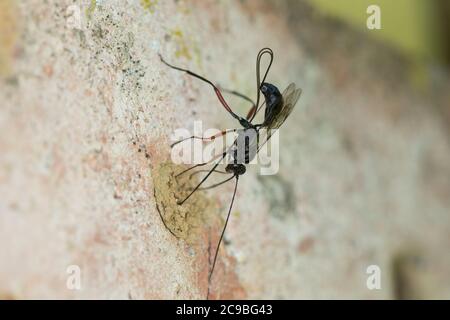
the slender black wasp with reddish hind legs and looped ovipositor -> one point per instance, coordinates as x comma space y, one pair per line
245, 147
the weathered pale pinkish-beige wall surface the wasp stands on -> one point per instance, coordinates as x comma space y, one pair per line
86, 117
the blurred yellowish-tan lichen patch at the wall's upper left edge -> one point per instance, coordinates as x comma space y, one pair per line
8, 35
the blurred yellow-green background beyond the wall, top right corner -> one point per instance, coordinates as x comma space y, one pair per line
419, 29
